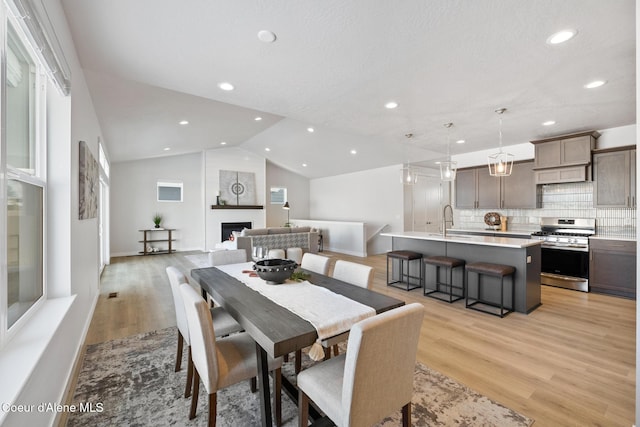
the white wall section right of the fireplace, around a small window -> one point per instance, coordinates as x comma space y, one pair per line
297, 193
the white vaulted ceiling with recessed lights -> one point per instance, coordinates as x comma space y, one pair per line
335, 63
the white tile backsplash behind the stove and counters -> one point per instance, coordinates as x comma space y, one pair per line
571, 200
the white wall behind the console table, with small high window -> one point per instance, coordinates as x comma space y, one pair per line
134, 202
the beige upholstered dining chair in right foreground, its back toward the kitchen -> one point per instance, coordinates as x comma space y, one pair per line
375, 376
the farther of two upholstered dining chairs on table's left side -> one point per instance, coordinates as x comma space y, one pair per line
224, 323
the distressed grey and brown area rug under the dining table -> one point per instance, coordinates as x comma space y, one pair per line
131, 381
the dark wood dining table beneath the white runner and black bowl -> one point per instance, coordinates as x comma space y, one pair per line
276, 330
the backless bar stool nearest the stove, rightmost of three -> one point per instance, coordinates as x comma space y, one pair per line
494, 270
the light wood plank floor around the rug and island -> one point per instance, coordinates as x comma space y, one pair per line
571, 362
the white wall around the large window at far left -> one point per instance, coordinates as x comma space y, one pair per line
73, 256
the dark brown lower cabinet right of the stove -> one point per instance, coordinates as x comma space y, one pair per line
612, 267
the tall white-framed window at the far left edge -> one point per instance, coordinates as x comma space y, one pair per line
24, 118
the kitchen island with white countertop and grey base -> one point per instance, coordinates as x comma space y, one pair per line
523, 254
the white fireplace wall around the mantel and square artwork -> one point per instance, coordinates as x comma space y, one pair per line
233, 159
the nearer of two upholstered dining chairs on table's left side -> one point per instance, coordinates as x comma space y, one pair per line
221, 362
